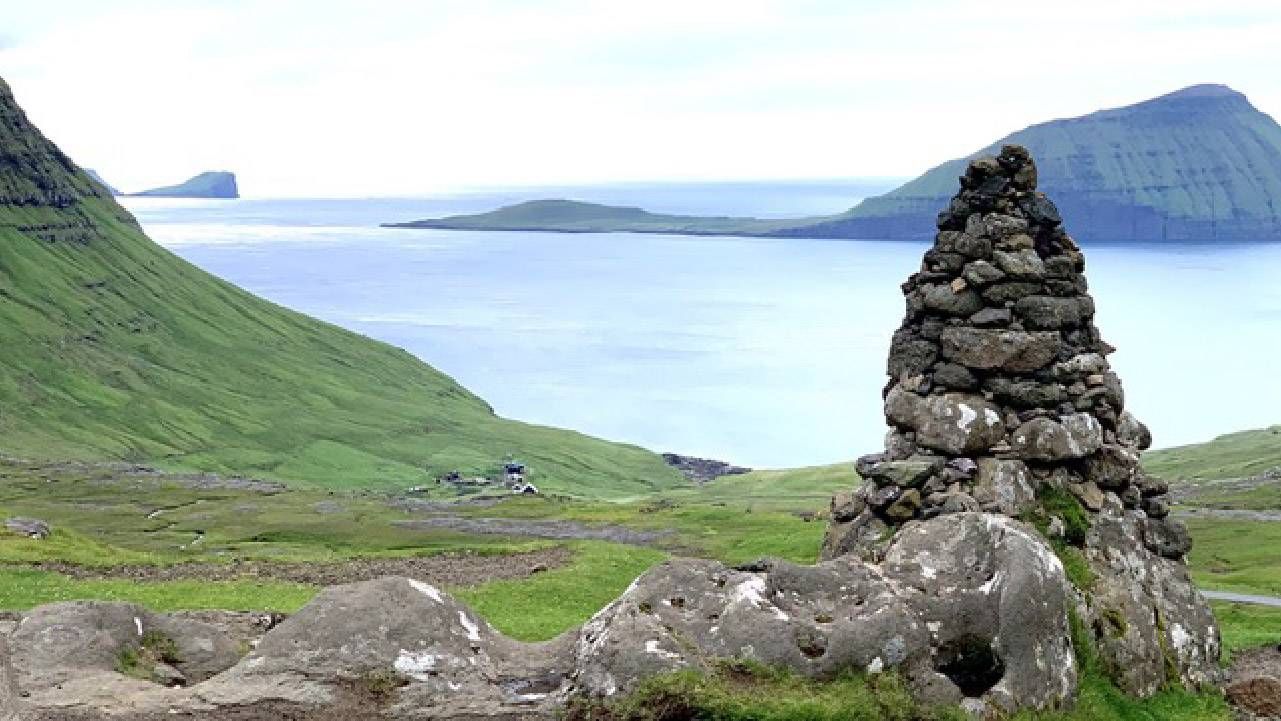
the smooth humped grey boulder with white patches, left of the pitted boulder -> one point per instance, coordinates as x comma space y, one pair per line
452, 663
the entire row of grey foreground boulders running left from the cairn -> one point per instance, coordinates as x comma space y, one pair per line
970, 609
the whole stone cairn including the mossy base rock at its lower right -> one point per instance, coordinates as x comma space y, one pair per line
1001, 399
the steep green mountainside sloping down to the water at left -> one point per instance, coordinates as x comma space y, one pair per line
112, 348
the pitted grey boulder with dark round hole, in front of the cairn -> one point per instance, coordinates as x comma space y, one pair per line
970, 608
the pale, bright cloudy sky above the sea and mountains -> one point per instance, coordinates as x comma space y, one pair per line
375, 98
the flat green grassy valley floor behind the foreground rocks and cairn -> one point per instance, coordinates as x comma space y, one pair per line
180, 542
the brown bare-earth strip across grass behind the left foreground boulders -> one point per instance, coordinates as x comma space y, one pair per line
445, 569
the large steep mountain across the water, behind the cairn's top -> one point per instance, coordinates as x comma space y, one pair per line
1200, 165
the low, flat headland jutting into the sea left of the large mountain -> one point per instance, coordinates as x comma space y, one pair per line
575, 217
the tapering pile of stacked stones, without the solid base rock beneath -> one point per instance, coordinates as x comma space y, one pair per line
999, 380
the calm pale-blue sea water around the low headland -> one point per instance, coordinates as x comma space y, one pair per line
759, 352
